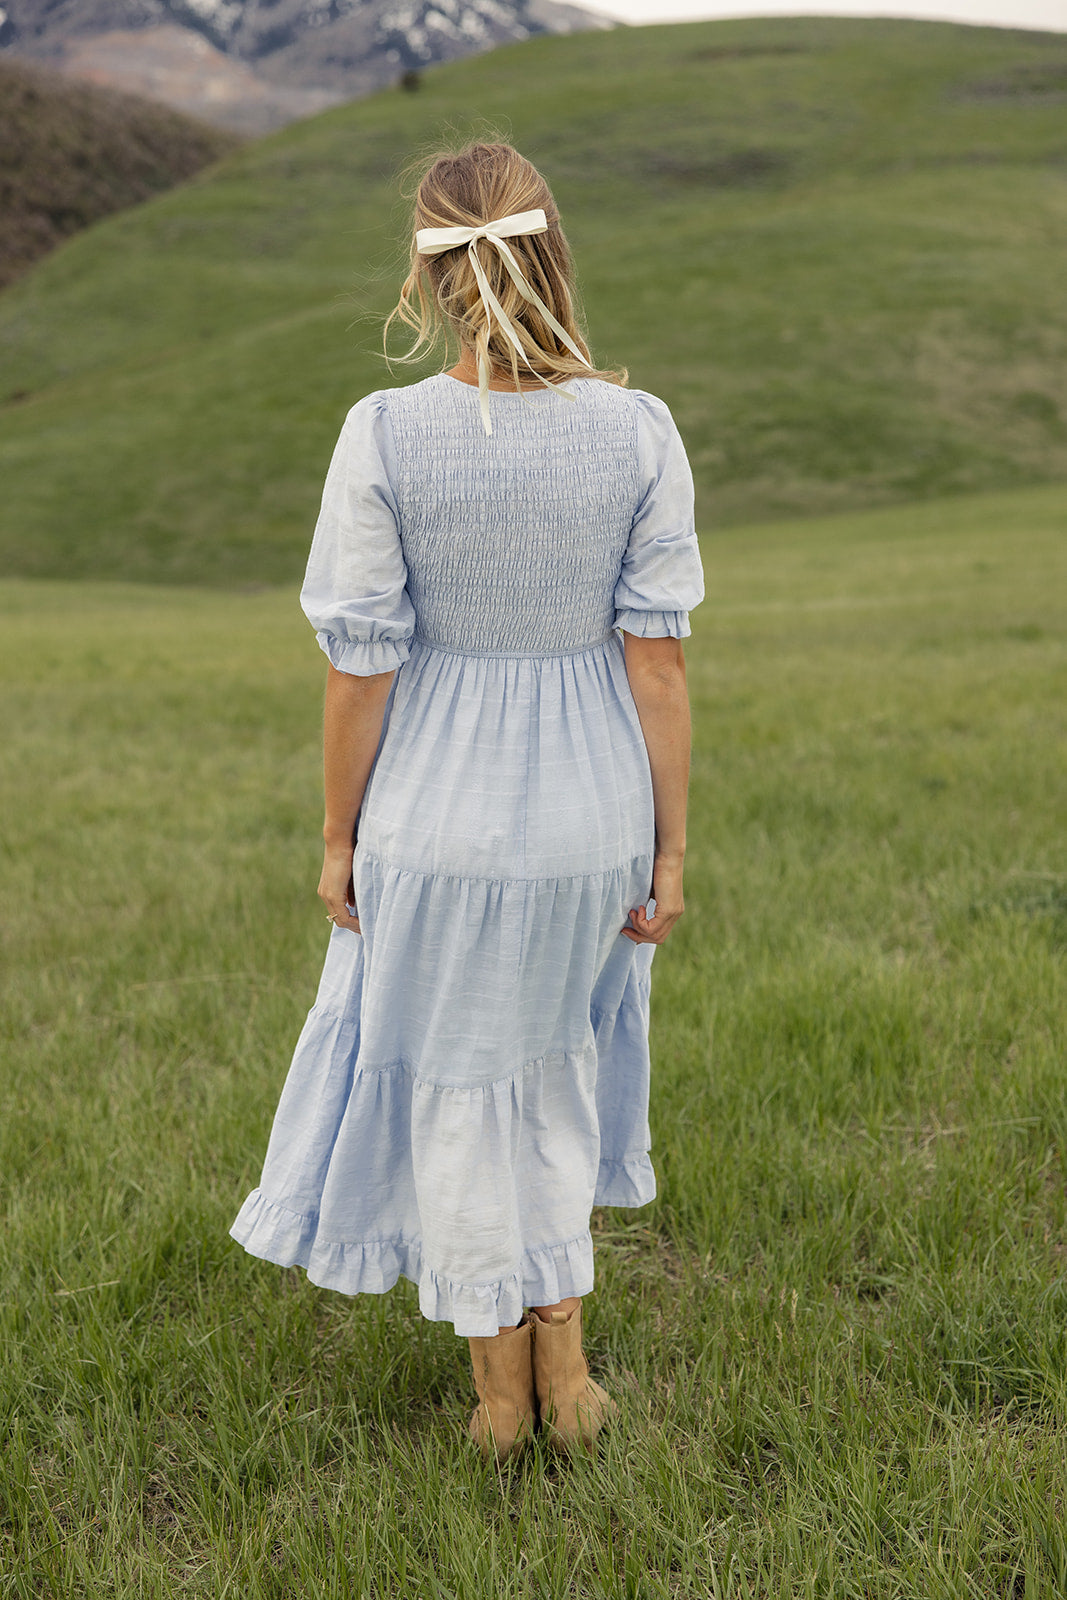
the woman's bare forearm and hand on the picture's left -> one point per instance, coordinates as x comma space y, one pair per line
353, 727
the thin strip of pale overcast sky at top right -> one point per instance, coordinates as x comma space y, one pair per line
1002, 14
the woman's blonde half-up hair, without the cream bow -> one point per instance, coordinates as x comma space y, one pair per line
482, 183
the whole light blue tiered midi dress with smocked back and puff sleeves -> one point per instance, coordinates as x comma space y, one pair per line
474, 1074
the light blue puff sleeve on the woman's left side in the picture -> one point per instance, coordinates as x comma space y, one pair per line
356, 591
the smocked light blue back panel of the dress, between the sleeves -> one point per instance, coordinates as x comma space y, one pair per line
513, 543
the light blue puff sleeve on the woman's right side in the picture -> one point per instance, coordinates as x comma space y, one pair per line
661, 578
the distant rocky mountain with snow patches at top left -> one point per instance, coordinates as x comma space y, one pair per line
257, 65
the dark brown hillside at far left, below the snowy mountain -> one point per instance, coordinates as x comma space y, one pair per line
74, 154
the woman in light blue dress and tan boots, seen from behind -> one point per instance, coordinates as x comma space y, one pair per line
500, 577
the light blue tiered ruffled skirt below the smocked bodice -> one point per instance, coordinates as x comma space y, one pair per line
474, 1074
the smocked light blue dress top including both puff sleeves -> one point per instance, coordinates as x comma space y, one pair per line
572, 519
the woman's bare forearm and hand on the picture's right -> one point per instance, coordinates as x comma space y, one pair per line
657, 673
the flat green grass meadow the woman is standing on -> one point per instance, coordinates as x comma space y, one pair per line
839, 1335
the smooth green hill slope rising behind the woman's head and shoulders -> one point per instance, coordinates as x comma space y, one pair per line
836, 249
